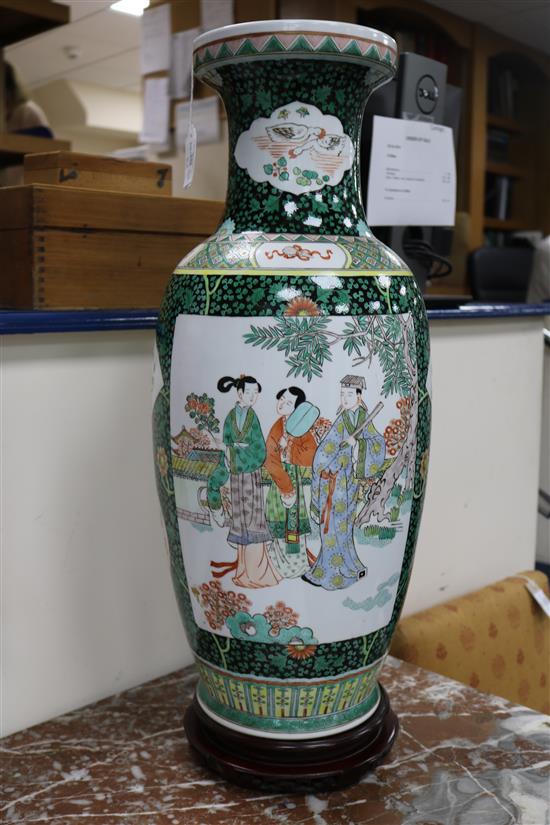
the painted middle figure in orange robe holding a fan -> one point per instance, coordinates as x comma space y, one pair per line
286, 511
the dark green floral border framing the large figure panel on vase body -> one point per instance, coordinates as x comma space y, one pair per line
239, 296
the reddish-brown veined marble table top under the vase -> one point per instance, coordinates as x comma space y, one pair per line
461, 758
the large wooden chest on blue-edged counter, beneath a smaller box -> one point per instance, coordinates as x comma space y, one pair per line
81, 249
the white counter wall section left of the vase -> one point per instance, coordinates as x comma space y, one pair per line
87, 605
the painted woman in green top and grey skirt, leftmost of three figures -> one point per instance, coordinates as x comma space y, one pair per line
245, 450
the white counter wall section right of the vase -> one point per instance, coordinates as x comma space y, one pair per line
479, 521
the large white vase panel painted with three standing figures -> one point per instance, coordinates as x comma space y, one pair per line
293, 460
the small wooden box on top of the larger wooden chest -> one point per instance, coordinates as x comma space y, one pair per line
98, 172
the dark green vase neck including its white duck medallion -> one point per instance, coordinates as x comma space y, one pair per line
294, 140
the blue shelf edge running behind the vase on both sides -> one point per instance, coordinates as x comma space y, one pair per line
16, 322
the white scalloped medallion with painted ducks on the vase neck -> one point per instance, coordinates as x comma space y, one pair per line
298, 149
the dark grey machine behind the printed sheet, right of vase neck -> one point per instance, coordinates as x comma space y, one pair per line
419, 91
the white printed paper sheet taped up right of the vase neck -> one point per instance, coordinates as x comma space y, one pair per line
412, 174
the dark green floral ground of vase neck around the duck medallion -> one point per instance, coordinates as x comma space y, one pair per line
257, 90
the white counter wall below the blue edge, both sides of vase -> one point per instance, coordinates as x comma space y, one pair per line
87, 605
